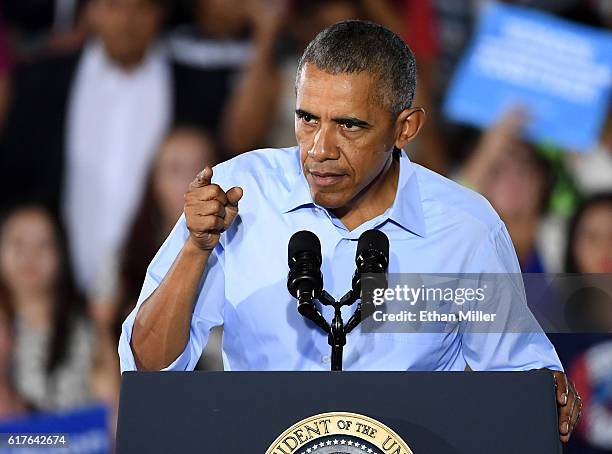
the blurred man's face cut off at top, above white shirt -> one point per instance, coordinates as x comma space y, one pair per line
127, 27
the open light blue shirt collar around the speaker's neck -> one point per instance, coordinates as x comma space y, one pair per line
406, 211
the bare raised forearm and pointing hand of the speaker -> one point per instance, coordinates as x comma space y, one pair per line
161, 328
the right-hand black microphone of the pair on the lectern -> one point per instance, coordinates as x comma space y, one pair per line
372, 260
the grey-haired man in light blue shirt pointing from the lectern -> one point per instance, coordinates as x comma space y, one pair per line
227, 266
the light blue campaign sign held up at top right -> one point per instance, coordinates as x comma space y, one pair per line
559, 71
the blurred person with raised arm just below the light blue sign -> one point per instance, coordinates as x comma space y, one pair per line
516, 180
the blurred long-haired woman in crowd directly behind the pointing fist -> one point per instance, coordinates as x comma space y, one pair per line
184, 152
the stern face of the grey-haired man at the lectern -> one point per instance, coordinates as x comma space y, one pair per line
345, 136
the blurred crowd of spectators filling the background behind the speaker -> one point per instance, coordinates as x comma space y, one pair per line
109, 108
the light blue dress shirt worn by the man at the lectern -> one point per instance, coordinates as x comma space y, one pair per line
434, 226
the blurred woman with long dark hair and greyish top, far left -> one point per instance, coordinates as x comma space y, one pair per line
53, 339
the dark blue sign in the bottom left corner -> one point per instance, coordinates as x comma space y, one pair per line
85, 431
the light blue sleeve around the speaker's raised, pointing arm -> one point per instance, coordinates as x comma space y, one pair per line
208, 309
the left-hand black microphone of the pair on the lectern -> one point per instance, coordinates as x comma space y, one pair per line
305, 280
